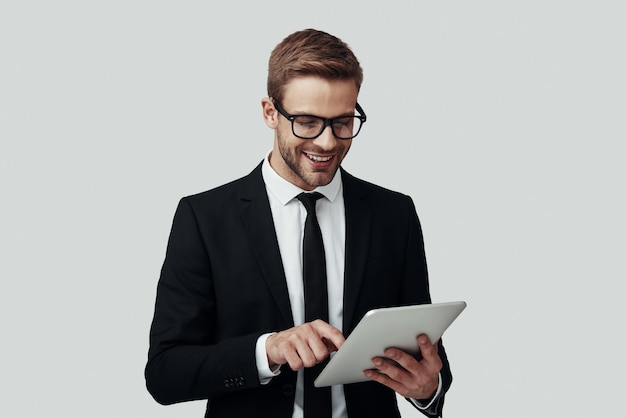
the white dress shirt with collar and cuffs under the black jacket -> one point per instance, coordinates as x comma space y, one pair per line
289, 215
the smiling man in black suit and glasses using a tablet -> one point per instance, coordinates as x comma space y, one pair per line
230, 322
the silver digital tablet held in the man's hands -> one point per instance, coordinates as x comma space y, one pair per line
383, 328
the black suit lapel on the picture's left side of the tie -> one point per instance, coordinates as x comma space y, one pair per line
257, 218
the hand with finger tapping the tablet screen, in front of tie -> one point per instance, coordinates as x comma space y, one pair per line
303, 346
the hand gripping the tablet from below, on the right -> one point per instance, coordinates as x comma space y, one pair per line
411, 378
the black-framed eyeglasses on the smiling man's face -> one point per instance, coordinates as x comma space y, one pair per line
311, 126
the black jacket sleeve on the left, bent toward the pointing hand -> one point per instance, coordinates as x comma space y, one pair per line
185, 360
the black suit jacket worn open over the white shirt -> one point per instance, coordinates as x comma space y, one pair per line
222, 285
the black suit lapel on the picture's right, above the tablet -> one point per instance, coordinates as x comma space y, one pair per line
358, 230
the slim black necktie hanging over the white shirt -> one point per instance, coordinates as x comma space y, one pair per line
317, 402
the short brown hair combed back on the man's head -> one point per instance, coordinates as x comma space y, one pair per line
311, 52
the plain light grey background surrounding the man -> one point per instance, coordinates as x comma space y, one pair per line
503, 120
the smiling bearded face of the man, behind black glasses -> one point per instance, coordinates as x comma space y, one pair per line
309, 163
